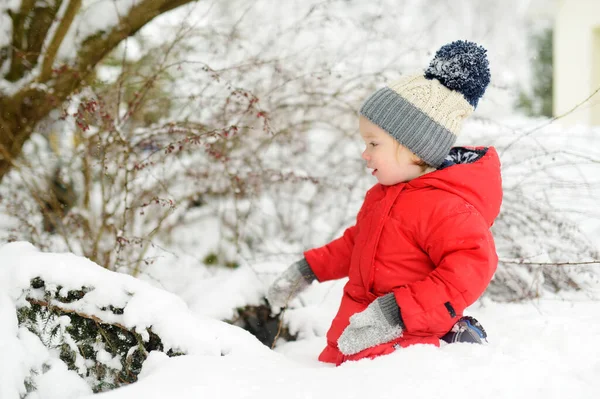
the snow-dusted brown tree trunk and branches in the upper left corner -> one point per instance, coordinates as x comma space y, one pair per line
69, 41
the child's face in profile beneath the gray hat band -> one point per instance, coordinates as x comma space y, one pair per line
390, 164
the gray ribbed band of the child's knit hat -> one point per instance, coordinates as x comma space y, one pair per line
410, 126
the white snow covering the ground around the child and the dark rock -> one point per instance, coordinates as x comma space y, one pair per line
539, 349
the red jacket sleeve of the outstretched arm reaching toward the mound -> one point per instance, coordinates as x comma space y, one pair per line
332, 261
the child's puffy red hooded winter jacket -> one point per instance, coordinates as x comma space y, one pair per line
428, 241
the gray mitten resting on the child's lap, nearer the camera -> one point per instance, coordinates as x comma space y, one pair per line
379, 323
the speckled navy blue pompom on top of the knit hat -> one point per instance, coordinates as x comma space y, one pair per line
461, 66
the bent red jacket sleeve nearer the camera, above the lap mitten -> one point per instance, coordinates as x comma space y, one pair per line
462, 249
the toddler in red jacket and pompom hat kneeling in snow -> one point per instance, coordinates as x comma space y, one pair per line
421, 249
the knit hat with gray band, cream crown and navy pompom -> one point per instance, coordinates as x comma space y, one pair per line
425, 112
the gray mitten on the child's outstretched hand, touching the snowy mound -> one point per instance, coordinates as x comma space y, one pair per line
290, 283
